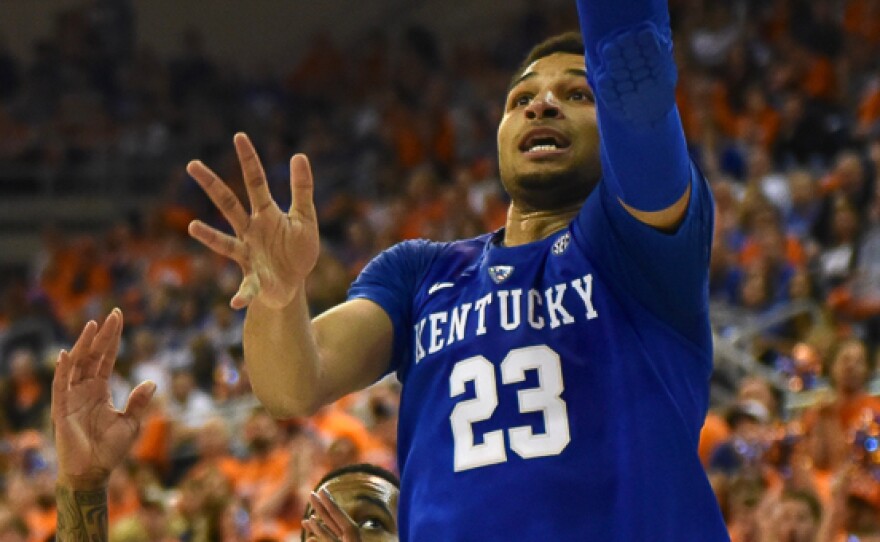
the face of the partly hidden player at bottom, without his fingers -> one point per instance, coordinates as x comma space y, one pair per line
370, 501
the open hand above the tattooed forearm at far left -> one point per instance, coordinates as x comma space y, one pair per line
91, 436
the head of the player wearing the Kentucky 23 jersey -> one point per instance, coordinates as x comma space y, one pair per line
548, 139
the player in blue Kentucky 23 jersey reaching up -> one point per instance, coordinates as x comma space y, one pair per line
555, 372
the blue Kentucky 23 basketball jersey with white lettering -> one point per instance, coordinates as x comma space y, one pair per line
554, 390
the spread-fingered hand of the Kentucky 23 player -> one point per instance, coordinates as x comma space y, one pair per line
275, 250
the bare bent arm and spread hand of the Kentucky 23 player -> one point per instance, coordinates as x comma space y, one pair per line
295, 365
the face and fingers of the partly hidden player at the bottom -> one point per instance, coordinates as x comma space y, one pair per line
354, 507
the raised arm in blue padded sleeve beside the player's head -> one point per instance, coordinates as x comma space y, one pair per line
632, 71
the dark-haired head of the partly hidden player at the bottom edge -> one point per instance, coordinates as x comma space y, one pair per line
369, 495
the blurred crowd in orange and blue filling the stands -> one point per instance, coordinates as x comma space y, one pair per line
781, 105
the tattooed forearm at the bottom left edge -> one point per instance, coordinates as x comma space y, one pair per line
82, 515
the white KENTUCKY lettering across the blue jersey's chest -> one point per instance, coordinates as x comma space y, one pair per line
559, 305
